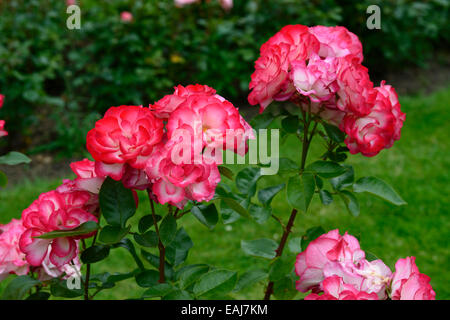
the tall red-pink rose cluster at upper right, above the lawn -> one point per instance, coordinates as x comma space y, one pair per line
320, 69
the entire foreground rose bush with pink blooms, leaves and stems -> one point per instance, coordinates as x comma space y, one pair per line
173, 149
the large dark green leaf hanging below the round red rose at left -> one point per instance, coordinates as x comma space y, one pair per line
116, 202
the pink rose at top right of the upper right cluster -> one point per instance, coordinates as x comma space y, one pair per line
337, 42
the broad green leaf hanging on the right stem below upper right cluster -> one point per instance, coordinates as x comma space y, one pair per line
300, 191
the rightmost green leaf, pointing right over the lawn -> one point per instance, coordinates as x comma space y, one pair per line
379, 188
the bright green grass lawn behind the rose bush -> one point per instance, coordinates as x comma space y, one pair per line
417, 166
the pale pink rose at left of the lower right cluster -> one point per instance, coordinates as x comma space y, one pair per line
326, 249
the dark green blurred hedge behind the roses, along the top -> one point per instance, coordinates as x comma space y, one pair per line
58, 81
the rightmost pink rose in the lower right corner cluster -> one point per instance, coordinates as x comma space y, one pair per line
409, 284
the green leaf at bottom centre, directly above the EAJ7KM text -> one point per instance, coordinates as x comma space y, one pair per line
215, 282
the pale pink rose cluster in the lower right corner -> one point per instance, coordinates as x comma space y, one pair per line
334, 267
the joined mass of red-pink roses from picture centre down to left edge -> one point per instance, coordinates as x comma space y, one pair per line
135, 145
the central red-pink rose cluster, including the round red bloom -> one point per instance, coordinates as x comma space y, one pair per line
171, 148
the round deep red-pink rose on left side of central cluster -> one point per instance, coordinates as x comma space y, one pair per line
126, 134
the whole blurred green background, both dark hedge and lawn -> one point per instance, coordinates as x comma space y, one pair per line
57, 82
